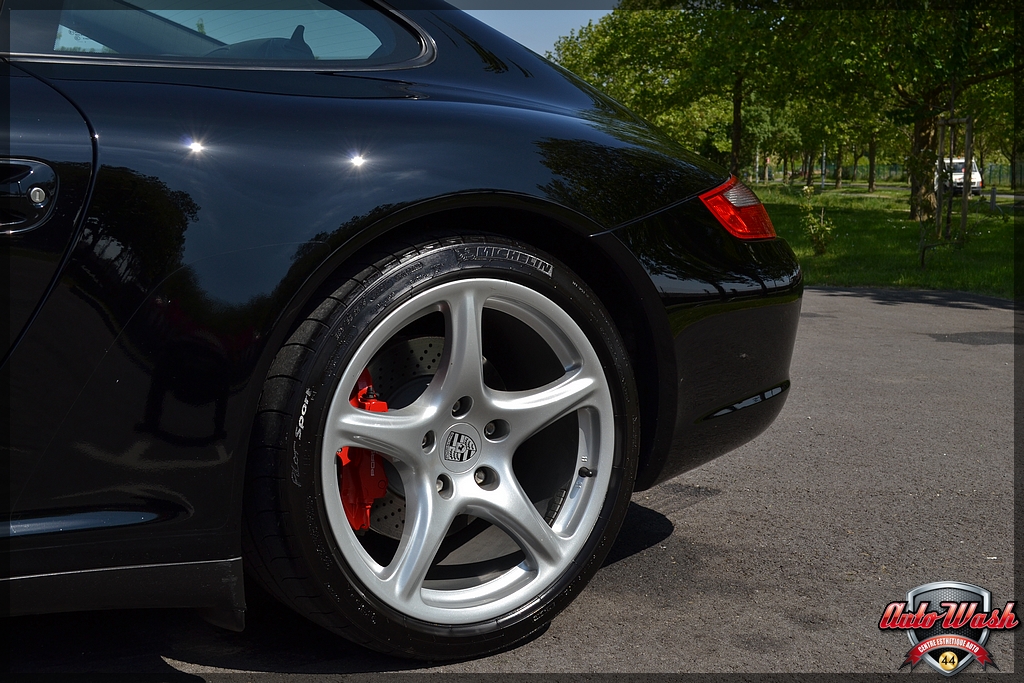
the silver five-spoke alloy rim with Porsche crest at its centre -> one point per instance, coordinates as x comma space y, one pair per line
483, 484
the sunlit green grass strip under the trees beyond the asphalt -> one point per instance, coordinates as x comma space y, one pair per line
875, 244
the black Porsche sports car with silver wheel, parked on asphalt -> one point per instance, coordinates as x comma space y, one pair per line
373, 305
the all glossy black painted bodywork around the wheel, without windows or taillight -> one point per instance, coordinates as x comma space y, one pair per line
134, 389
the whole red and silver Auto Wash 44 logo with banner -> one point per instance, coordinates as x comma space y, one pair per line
949, 624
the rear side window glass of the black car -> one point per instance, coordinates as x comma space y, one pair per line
302, 34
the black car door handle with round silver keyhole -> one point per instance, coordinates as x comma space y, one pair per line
28, 193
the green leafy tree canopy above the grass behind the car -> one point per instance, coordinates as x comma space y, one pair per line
730, 79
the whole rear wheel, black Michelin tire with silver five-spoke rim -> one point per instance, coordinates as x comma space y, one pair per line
525, 486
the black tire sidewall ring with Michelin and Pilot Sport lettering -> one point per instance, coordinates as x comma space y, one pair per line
365, 304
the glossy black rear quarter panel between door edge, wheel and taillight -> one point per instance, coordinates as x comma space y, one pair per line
192, 265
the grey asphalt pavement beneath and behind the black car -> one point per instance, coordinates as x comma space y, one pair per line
890, 467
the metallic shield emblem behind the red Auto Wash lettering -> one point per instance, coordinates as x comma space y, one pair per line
951, 661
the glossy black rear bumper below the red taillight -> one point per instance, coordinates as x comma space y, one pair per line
733, 311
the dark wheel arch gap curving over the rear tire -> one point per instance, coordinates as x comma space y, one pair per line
596, 255
